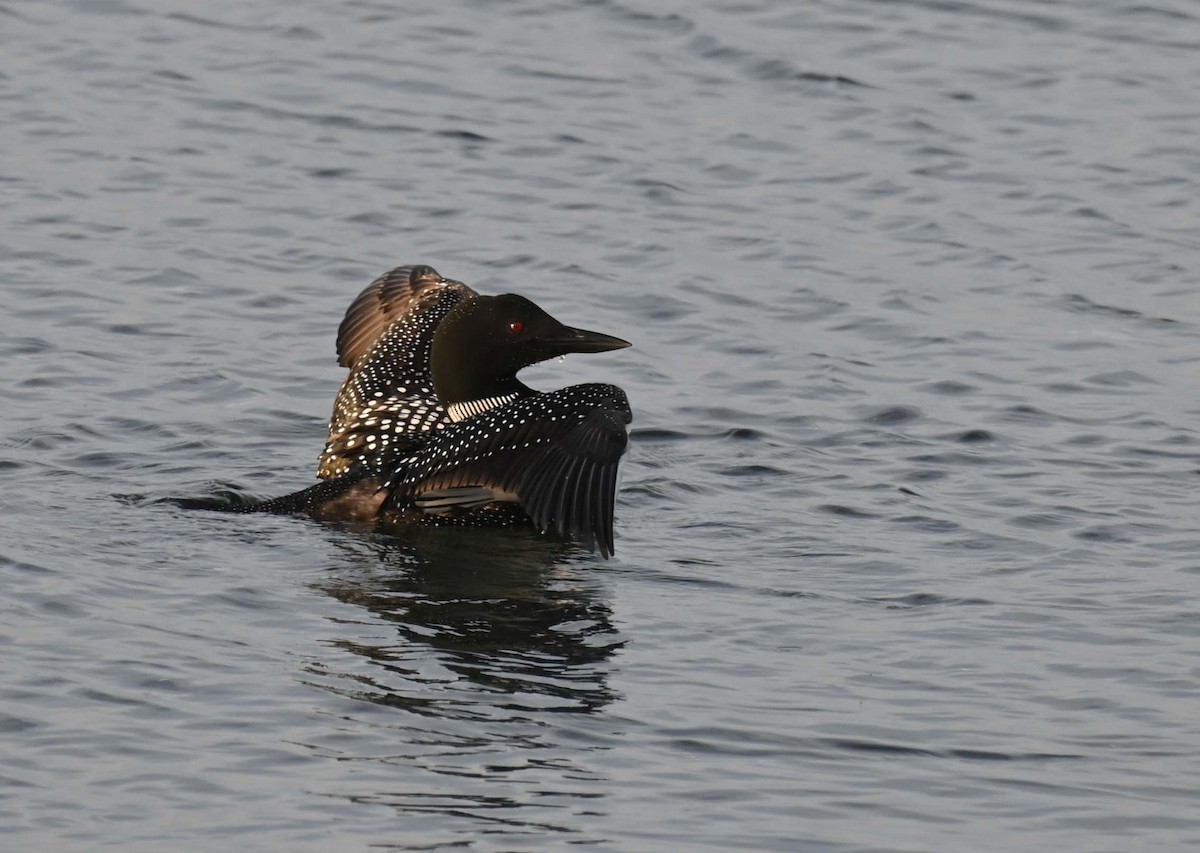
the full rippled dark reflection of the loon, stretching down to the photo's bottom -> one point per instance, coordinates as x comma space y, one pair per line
463, 653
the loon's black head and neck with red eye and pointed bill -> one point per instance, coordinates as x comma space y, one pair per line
484, 341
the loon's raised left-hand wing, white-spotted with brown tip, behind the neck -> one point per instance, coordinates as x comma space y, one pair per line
388, 397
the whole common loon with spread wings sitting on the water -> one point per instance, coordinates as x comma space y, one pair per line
433, 425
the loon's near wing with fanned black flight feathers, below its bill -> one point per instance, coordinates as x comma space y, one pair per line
555, 454
